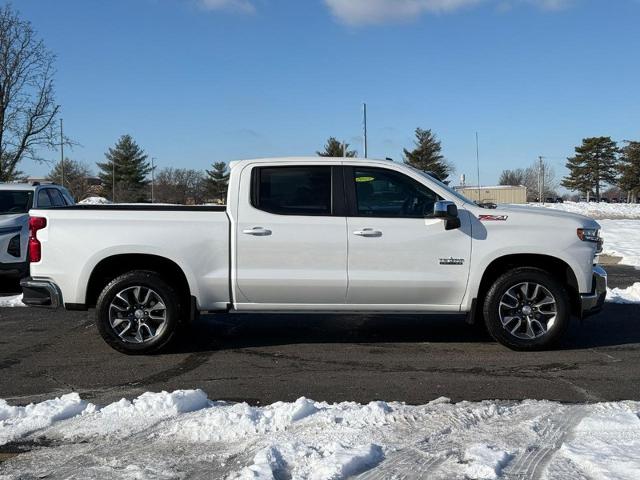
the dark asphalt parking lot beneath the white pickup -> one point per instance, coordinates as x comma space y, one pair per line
262, 359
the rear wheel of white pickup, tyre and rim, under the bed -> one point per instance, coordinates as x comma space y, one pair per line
137, 313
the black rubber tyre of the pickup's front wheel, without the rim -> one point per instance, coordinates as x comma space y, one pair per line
514, 279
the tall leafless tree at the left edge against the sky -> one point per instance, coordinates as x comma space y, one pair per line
27, 105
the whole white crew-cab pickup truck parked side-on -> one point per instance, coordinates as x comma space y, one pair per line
318, 235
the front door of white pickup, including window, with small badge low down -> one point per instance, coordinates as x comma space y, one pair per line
397, 254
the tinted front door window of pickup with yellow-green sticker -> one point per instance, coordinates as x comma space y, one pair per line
386, 193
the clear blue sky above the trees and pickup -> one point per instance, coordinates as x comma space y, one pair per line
198, 81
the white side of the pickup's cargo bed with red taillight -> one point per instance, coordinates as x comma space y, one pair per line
78, 238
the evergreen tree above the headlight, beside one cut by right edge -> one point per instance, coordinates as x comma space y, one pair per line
595, 163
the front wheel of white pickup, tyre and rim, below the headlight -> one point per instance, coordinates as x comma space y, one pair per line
527, 309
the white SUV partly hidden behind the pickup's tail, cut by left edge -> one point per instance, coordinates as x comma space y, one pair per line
16, 200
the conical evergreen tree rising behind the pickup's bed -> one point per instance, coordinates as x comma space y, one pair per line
129, 162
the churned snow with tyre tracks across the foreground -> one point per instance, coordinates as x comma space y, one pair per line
183, 434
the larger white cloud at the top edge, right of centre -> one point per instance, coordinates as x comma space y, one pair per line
369, 12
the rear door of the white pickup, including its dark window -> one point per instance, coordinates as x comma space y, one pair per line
291, 242
